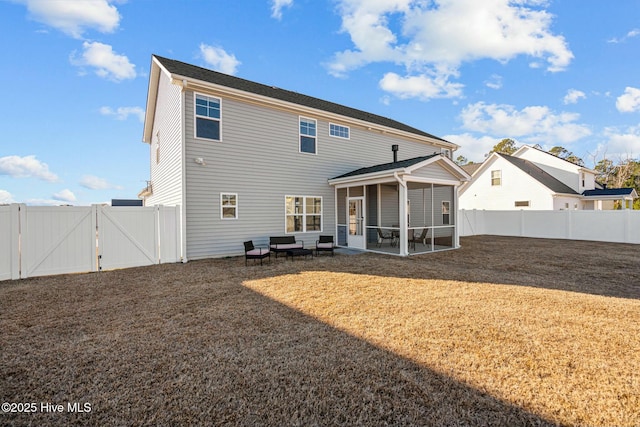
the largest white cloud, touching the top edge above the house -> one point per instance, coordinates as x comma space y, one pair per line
437, 37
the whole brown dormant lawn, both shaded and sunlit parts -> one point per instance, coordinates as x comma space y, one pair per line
505, 331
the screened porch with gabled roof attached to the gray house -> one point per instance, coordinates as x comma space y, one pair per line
401, 208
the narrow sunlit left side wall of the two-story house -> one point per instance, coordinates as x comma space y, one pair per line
166, 175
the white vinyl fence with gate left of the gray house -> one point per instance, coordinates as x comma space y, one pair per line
41, 240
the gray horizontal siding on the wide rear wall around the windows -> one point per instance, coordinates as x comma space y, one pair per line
259, 160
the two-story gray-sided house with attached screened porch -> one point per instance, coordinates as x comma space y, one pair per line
246, 161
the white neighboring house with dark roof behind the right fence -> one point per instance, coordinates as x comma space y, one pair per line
534, 179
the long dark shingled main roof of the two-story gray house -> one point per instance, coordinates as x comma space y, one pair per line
187, 70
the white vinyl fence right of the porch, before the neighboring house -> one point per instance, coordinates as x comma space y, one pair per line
621, 226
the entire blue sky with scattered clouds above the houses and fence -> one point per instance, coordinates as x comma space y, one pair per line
75, 75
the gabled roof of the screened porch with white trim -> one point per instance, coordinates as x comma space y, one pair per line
435, 168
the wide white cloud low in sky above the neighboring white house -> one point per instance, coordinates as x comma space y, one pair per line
533, 124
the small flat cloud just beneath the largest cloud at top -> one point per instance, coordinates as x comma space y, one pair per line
422, 86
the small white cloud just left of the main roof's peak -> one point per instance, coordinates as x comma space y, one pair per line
107, 63
